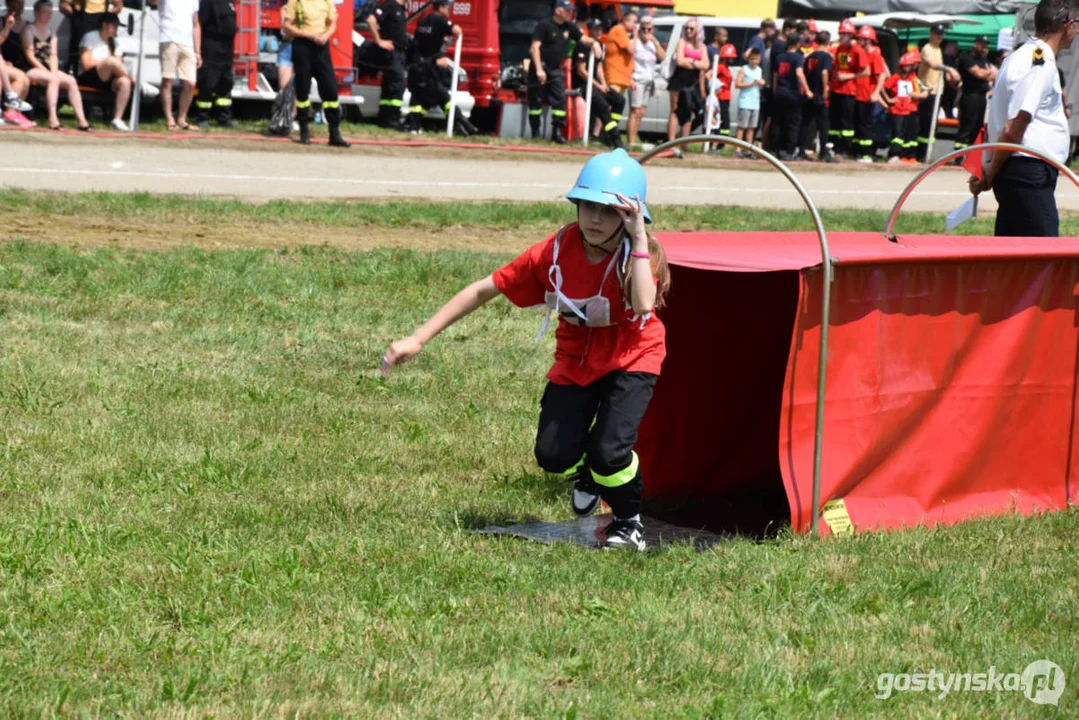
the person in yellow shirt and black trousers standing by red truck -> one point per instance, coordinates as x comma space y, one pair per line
311, 24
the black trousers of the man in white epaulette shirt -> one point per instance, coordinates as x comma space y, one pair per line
1025, 189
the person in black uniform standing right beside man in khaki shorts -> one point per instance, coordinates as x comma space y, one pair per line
218, 22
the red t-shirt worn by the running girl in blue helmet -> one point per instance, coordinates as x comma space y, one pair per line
584, 355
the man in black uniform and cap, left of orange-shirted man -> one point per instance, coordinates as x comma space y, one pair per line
547, 80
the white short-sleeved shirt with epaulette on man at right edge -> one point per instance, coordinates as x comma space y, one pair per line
1030, 81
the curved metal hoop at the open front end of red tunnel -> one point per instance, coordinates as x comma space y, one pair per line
826, 306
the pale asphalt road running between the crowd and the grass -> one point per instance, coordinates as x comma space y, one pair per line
38, 161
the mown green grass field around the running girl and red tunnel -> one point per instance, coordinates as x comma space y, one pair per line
214, 507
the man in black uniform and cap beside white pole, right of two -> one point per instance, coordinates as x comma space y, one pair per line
429, 71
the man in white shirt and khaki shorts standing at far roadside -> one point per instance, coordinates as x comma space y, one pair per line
181, 57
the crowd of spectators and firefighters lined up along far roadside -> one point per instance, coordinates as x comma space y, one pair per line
797, 91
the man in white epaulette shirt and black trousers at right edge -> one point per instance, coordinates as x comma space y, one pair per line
1028, 110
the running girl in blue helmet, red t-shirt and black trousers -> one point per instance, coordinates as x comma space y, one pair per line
605, 277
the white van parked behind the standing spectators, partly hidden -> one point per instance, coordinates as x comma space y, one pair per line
670, 30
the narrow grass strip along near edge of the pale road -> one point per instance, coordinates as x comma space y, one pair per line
528, 216
